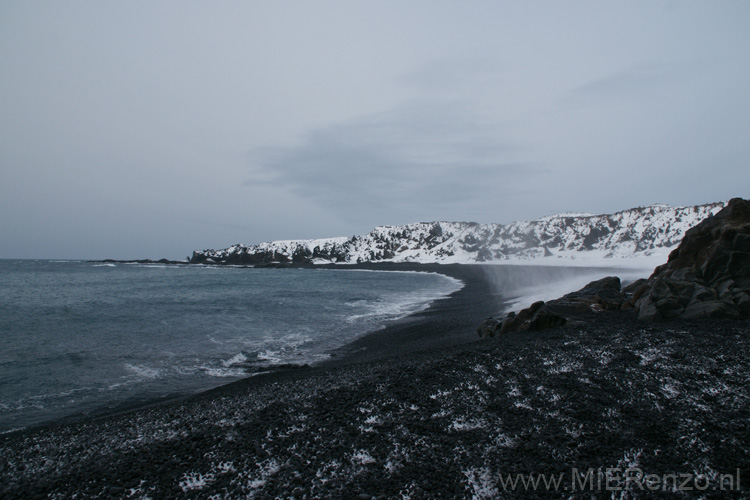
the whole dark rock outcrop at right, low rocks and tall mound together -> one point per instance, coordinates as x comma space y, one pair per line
706, 276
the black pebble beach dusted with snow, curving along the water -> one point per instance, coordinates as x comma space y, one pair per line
424, 410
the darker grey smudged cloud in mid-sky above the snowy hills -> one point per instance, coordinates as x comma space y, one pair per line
424, 154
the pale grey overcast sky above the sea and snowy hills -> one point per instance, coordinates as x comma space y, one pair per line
150, 129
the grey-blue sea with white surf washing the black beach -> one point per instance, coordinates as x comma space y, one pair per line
77, 337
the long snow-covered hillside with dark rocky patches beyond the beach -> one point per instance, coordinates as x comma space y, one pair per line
639, 237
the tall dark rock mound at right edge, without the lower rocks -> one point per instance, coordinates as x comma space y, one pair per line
707, 275
